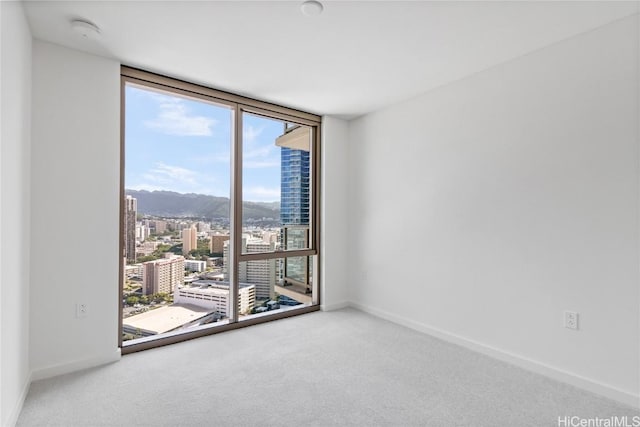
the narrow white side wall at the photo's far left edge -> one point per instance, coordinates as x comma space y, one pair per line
15, 84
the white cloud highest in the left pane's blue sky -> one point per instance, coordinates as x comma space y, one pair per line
174, 119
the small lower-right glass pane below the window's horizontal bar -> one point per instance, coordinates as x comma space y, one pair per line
280, 284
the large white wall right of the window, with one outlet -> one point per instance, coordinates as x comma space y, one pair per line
482, 210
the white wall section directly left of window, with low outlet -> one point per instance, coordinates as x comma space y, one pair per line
75, 204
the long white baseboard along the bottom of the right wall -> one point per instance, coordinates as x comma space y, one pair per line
523, 362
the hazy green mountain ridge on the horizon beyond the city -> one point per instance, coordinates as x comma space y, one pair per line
171, 204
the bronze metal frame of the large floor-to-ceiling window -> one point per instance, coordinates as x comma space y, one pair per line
238, 105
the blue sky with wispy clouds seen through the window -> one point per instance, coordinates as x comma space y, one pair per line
181, 144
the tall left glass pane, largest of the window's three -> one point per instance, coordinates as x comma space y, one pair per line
177, 187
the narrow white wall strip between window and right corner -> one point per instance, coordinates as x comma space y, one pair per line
334, 262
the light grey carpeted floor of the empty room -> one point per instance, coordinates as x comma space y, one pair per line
326, 369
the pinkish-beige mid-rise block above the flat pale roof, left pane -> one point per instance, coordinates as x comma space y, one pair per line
162, 275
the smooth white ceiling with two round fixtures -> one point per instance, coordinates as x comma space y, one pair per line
354, 58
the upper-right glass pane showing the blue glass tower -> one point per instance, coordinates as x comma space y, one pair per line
276, 190
